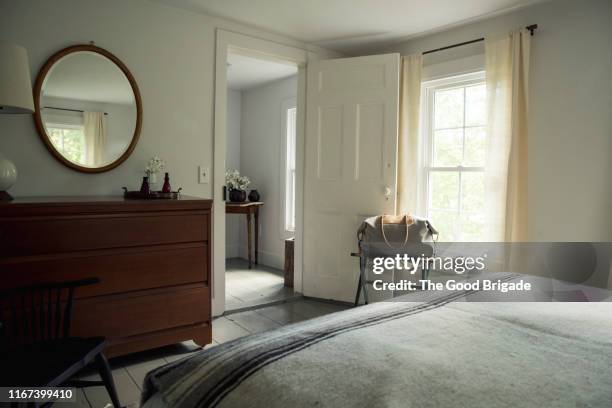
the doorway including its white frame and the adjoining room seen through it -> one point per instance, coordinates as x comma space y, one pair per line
266, 81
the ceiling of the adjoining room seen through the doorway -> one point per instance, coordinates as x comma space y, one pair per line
246, 72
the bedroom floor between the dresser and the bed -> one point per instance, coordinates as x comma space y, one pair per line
129, 371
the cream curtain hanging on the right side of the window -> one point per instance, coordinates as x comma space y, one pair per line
507, 72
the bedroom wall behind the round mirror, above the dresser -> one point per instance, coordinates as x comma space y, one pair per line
169, 51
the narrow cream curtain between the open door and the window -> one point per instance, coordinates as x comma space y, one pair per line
409, 146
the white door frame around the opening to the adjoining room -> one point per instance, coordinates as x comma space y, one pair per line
227, 41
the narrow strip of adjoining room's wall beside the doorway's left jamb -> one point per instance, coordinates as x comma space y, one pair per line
233, 222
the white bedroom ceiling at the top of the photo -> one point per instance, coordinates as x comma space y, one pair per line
350, 25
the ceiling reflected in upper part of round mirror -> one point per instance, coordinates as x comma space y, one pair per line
87, 76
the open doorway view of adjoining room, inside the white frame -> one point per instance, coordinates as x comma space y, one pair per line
260, 178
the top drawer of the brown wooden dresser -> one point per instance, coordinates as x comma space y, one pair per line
49, 235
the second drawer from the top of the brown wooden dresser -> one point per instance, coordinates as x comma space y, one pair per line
119, 270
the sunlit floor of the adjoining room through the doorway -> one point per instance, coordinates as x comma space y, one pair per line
246, 287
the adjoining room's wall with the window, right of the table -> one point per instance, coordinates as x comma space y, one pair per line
260, 160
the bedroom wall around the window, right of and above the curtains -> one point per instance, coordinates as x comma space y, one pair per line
570, 118
